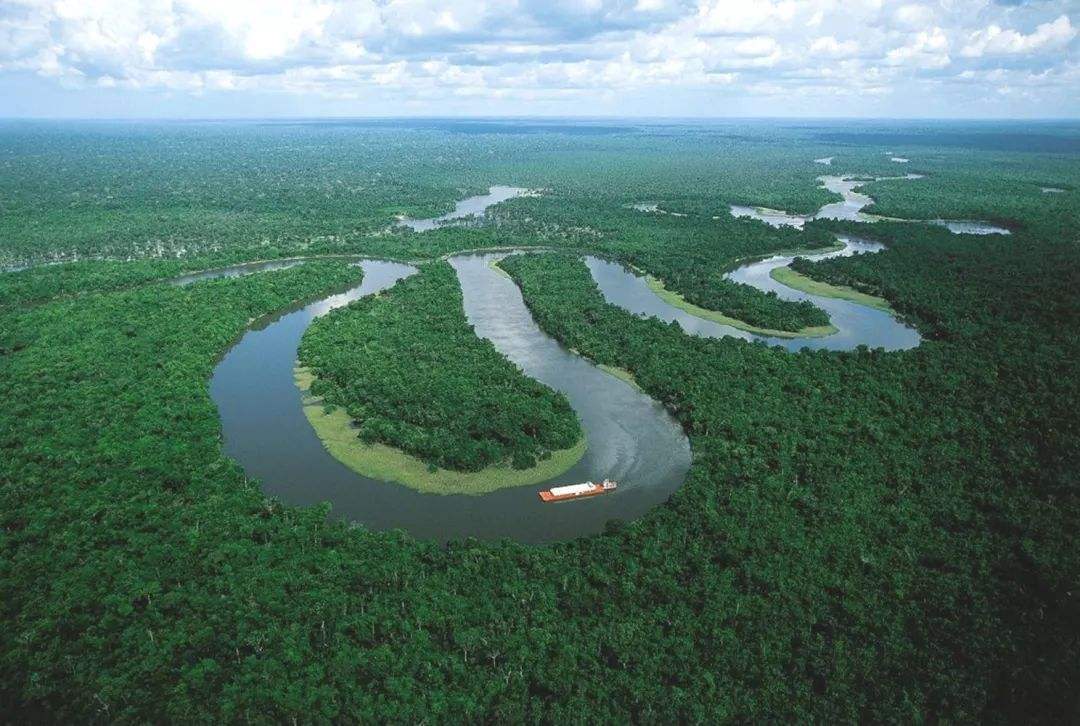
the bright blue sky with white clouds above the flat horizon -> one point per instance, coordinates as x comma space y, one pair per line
713, 59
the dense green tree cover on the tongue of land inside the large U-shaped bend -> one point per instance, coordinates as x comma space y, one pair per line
412, 374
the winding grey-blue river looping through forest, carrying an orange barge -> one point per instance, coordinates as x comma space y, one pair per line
631, 438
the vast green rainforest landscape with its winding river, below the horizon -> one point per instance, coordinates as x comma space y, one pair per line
280, 397
